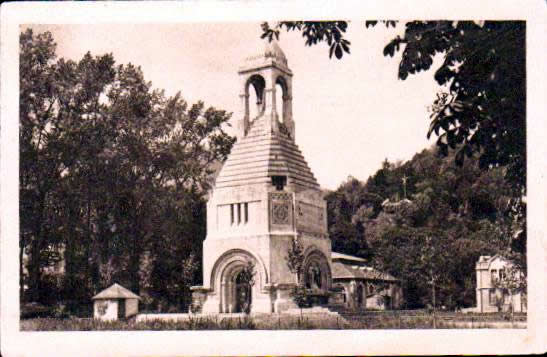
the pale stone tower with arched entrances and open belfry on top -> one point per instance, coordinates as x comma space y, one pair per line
264, 197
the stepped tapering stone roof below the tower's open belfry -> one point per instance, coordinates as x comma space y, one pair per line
262, 154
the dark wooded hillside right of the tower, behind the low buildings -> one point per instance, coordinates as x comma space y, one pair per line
427, 221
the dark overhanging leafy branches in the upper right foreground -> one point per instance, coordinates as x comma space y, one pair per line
483, 111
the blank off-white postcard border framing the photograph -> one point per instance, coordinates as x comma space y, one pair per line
315, 342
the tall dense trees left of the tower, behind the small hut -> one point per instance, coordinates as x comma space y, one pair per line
112, 179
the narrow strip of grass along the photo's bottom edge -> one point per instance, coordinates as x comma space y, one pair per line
267, 322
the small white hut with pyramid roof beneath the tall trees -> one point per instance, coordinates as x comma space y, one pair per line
115, 302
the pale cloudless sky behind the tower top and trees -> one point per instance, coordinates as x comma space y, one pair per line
350, 114
